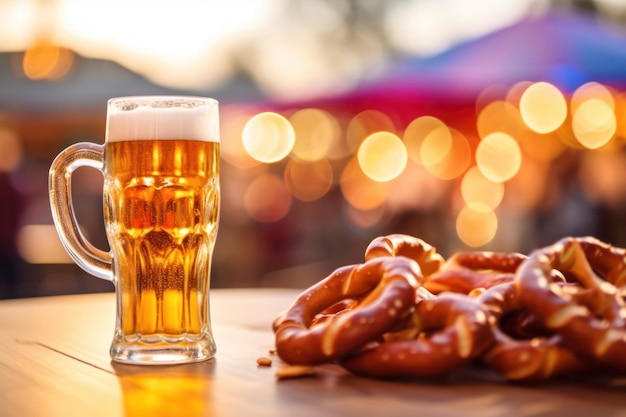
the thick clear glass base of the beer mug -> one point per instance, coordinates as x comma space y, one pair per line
161, 352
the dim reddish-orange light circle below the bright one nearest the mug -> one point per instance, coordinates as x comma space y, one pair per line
266, 199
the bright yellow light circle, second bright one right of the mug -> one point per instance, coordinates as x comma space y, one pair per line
382, 156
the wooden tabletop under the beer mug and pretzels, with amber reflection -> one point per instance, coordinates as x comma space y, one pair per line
54, 362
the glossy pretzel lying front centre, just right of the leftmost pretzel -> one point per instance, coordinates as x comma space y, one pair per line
453, 331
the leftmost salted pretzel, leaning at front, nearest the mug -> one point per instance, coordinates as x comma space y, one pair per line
385, 289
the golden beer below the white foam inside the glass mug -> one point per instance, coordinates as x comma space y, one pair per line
162, 207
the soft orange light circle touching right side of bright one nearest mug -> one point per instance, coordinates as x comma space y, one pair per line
316, 130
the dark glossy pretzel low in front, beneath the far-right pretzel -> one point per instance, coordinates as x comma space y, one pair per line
535, 357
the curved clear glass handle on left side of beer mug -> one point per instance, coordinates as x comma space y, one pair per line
87, 256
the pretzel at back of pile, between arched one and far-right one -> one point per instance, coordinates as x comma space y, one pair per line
465, 272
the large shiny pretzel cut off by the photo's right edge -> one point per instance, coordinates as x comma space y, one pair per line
592, 324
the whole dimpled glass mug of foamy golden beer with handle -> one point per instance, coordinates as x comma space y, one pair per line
160, 162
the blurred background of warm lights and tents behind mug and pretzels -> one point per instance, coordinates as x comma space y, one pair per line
482, 125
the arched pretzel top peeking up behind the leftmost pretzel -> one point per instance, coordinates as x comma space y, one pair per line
405, 245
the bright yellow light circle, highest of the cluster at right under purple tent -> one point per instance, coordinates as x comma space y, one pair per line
543, 107
